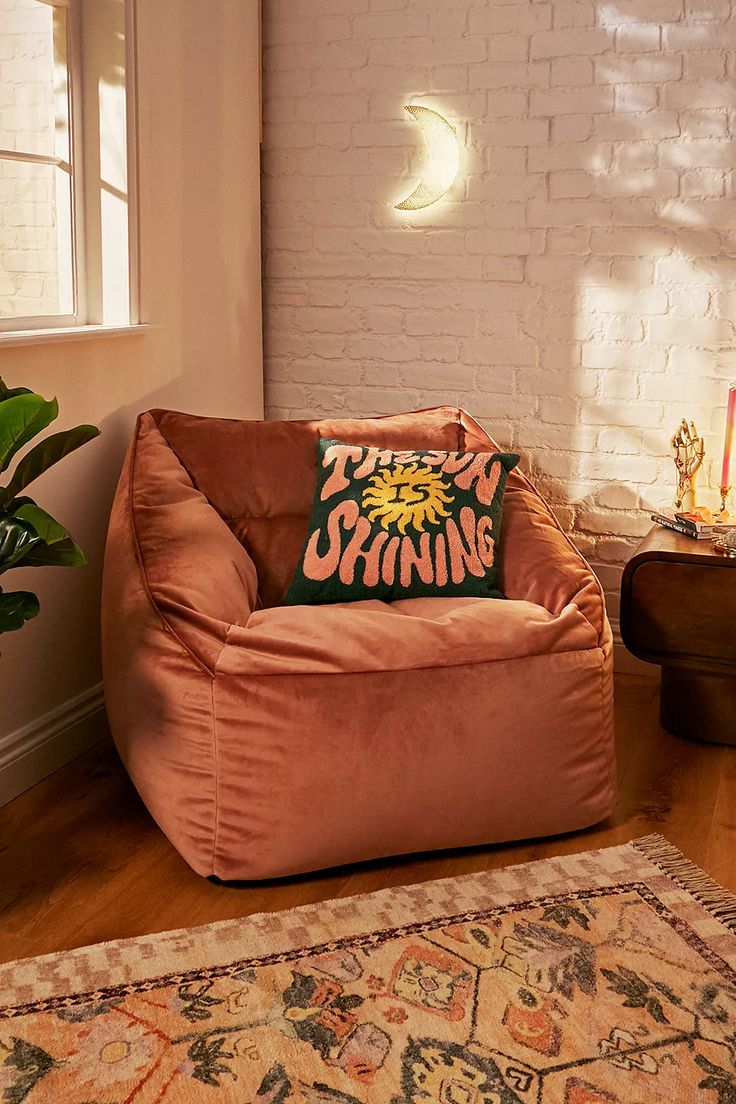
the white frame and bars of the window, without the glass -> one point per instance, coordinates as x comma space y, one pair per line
87, 272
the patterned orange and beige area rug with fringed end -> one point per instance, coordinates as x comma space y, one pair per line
598, 979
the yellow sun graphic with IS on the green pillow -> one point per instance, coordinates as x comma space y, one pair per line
407, 494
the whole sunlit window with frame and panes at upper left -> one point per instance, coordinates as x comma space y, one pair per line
67, 225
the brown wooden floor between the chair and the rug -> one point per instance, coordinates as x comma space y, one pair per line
81, 861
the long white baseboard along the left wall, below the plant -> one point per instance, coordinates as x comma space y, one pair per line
44, 746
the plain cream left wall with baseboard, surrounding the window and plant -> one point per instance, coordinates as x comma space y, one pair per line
200, 279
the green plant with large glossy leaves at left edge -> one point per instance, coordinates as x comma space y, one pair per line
30, 537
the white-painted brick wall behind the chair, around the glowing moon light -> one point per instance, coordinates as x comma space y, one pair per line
577, 291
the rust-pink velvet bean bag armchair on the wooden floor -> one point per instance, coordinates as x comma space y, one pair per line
269, 740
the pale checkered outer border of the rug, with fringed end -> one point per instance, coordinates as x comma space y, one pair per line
84, 973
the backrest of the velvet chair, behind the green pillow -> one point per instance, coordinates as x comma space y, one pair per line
261, 476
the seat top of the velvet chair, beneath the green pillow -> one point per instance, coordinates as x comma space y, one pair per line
404, 635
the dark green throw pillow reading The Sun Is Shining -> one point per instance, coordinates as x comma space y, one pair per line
404, 525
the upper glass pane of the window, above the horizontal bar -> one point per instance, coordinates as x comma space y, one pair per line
34, 79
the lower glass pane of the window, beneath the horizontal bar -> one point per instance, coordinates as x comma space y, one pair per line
36, 241
